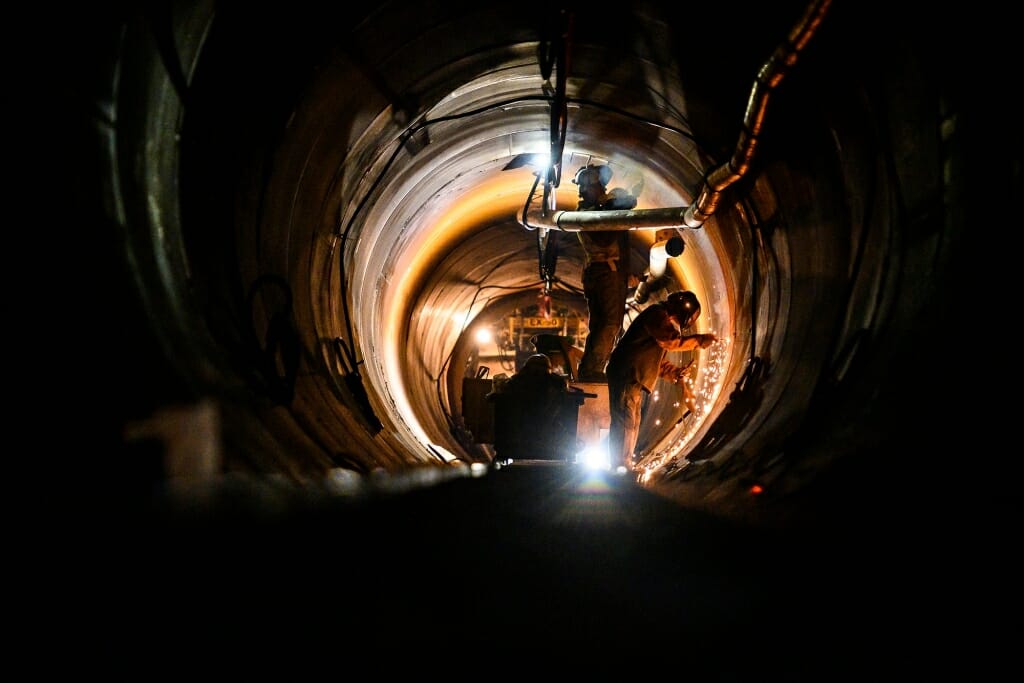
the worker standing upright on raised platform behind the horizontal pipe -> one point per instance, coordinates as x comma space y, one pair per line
606, 274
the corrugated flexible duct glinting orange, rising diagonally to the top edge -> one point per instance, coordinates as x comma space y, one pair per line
770, 77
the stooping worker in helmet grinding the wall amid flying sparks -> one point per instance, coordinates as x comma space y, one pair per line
638, 361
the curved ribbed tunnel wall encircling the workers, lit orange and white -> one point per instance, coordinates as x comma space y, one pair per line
269, 188
